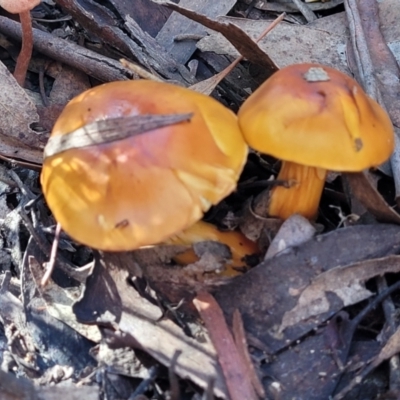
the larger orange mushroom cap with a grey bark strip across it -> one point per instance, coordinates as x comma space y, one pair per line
138, 191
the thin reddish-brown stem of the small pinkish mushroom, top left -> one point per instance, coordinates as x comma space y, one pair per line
26, 50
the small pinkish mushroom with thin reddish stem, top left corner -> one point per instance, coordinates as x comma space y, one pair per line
23, 8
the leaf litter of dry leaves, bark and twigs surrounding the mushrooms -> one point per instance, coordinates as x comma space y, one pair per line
310, 306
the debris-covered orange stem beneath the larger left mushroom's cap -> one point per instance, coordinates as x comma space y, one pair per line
202, 231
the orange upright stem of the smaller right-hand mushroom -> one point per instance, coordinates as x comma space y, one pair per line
302, 196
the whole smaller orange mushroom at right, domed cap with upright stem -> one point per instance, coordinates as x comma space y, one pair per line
314, 118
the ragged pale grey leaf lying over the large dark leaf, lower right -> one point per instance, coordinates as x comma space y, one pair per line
346, 282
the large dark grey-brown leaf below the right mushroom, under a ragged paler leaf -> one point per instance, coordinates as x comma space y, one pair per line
265, 293
